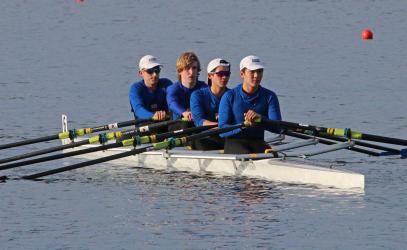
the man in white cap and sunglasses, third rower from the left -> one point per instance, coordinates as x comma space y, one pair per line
205, 103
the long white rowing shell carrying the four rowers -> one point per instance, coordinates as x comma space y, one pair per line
271, 169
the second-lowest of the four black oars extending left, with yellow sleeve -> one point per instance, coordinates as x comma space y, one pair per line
126, 142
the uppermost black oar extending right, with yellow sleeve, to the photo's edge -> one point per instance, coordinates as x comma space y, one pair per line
339, 132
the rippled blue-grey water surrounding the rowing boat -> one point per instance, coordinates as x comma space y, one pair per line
80, 59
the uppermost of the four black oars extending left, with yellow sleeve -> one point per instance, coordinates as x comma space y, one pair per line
74, 132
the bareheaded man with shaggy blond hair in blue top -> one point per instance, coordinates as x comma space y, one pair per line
179, 93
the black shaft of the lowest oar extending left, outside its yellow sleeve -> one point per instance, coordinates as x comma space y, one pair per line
87, 163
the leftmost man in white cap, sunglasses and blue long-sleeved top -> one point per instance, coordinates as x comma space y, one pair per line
148, 96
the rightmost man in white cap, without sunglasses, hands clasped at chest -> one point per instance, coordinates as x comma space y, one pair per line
247, 102
